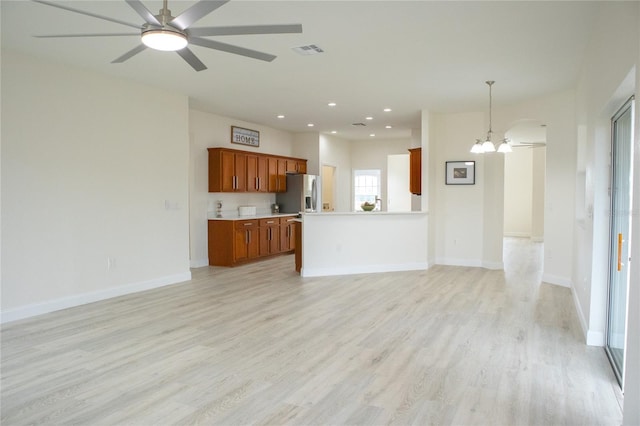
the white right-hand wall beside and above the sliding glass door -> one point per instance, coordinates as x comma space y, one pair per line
607, 80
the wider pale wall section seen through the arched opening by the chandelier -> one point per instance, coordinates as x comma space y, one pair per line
518, 192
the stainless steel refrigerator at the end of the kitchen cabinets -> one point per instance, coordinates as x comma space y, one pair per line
303, 195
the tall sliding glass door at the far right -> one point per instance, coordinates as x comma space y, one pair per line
621, 193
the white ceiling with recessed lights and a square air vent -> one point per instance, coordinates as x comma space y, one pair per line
403, 55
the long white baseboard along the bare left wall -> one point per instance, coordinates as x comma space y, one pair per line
32, 310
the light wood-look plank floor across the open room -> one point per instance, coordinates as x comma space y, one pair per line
257, 344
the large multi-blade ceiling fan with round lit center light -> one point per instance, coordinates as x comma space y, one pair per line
166, 32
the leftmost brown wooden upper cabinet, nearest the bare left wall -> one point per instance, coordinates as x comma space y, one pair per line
227, 170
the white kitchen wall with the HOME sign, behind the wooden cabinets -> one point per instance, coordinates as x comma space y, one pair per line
209, 130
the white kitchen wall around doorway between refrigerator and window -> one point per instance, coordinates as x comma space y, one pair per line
336, 152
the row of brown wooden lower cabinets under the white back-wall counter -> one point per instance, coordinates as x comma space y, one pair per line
234, 242
